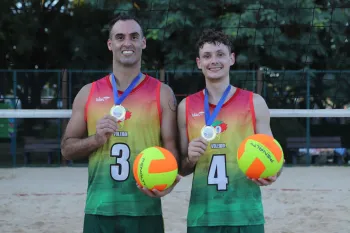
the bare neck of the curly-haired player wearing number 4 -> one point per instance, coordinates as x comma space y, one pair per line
216, 89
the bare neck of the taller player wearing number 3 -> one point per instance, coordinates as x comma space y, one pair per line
125, 75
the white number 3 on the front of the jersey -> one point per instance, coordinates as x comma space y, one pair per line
121, 169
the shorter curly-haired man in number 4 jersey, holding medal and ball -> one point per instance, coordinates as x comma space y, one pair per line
212, 124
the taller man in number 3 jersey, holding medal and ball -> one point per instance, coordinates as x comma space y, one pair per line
113, 120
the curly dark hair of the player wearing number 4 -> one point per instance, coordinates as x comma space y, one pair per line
213, 36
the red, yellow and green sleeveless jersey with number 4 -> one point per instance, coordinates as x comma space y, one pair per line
221, 194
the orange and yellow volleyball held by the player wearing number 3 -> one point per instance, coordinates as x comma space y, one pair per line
155, 168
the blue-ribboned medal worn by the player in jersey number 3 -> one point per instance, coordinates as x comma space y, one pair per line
118, 111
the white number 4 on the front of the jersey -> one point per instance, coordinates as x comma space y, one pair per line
217, 172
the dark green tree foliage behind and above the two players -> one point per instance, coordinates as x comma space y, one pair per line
278, 34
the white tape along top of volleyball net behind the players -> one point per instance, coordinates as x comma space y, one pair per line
282, 113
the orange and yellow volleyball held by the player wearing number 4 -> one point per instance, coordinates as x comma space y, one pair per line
260, 156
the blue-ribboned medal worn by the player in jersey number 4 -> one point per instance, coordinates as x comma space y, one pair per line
208, 132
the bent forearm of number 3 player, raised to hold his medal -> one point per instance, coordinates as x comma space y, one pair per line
75, 148
